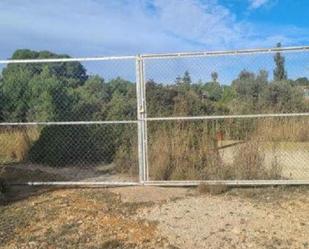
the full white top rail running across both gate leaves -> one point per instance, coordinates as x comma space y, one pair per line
163, 55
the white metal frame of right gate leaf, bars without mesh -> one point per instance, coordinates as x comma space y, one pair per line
145, 119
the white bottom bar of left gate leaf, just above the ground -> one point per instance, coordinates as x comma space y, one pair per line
68, 183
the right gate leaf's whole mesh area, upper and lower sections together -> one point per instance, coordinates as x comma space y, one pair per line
228, 116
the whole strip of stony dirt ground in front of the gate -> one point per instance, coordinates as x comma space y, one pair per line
152, 217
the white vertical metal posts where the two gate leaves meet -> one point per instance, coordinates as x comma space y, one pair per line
141, 117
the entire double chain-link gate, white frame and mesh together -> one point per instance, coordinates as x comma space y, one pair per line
237, 117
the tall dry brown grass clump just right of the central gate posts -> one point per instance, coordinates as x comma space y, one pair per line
184, 151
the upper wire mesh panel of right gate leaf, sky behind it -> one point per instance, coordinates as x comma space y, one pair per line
227, 84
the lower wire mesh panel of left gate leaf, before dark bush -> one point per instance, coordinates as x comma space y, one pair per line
78, 153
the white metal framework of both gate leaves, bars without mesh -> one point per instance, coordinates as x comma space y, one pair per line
142, 119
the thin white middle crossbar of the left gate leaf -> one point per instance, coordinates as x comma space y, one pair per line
68, 123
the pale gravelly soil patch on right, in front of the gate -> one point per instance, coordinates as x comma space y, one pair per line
269, 220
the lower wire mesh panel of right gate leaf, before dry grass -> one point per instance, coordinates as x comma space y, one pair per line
229, 149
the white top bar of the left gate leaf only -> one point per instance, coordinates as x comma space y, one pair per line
67, 59
